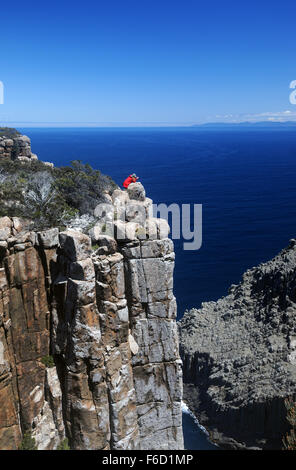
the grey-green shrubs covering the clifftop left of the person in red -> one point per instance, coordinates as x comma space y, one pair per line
50, 196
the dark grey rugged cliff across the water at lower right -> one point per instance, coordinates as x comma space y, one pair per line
239, 356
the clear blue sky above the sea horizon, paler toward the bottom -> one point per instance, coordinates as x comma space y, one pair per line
146, 62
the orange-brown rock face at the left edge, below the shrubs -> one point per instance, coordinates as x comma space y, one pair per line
24, 339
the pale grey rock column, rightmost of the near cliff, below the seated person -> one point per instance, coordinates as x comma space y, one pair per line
157, 371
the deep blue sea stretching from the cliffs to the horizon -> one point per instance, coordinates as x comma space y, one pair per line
245, 179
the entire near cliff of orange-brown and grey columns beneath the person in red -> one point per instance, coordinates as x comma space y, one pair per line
106, 313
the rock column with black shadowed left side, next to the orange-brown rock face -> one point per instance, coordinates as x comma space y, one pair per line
78, 347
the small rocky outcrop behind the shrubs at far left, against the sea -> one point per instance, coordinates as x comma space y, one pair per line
17, 147
